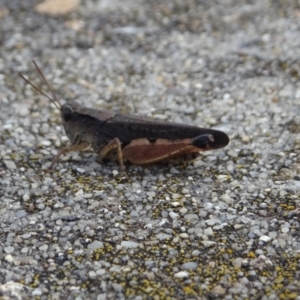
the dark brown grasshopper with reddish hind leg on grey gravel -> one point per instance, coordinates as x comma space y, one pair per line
139, 140
